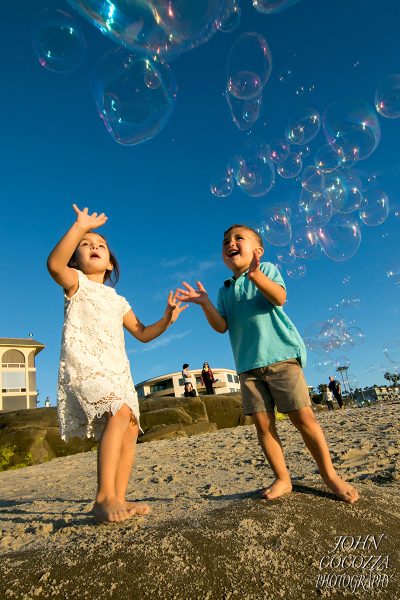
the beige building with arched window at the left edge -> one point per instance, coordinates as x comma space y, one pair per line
18, 373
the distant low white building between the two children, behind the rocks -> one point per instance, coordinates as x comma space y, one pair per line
171, 384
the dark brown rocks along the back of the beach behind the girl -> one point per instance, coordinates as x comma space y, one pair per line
28, 437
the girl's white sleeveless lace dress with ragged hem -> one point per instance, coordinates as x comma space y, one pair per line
94, 376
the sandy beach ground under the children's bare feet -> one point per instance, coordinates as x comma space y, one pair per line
210, 534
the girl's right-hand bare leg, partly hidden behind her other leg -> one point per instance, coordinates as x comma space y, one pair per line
125, 463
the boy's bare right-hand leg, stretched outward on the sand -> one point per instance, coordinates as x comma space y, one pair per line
304, 420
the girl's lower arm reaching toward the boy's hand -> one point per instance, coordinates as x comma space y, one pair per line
148, 333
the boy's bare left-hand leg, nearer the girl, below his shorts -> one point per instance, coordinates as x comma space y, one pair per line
272, 447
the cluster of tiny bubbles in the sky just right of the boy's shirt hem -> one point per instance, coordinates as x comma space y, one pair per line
332, 337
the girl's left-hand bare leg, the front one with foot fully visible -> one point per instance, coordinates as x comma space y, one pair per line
107, 507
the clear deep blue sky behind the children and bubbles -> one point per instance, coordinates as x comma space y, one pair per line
164, 224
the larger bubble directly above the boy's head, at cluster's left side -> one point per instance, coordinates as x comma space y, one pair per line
257, 173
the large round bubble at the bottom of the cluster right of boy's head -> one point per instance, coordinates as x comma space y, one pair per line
340, 238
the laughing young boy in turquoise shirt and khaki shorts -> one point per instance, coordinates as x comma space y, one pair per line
269, 354
